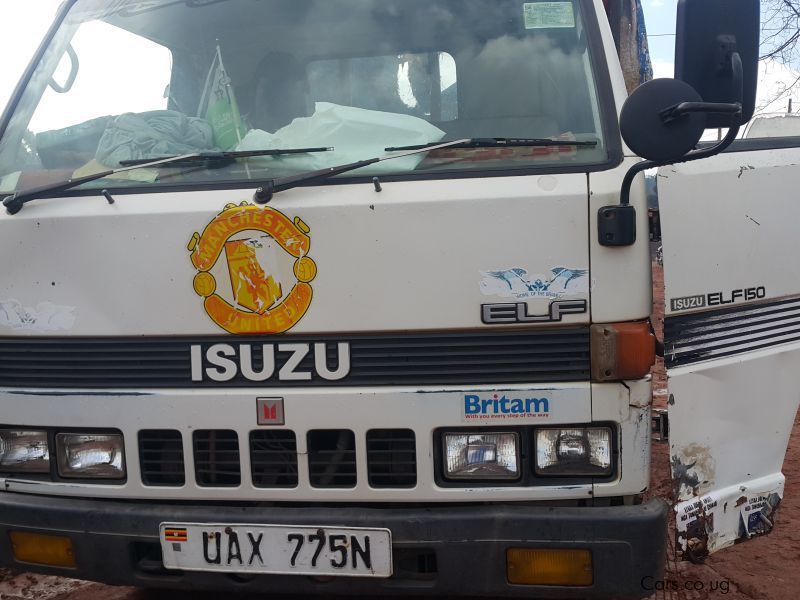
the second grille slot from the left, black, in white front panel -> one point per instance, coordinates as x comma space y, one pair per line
216, 458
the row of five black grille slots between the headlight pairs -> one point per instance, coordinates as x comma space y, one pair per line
391, 458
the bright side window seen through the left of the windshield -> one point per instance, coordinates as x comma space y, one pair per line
106, 71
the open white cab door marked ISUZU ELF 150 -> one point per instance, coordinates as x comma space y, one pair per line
731, 243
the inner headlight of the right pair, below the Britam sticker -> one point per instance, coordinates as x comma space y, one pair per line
481, 456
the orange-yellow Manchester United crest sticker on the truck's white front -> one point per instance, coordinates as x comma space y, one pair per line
264, 299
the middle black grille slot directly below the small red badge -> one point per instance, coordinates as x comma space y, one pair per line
273, 458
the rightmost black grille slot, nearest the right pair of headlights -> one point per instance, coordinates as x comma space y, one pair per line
391, 458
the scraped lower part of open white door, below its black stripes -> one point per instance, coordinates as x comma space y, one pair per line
729, 428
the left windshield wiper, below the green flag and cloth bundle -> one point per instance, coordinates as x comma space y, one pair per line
17, 200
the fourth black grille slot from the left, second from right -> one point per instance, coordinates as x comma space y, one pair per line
332, 458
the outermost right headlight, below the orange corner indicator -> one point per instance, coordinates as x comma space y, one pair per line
580, 451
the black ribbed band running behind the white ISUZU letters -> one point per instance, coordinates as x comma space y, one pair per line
486, 357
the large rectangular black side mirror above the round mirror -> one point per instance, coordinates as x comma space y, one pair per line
708, 33
